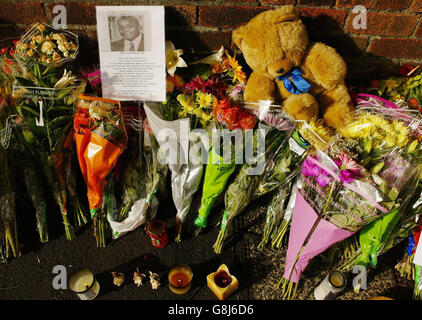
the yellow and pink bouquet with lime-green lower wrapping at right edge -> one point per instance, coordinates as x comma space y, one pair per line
386, 139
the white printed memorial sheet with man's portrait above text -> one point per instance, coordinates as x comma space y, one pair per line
132, 52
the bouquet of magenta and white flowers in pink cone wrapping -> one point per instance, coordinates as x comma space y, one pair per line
339, 197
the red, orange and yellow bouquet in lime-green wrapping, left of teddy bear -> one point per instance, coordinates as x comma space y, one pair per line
222, 82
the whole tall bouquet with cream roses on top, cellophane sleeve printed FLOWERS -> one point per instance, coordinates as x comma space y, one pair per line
45, 94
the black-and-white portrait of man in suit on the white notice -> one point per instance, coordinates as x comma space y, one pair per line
127, 32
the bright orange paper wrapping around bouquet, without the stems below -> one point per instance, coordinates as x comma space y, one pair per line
96, 154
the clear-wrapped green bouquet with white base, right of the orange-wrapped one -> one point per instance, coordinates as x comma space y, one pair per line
141, 180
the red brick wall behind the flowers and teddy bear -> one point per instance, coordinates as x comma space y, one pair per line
393, 35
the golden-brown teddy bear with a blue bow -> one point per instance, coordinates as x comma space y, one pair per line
308, 78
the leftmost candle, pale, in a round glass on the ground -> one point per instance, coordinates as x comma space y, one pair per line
84, 284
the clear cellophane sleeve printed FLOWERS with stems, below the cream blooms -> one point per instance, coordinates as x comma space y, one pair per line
47, 117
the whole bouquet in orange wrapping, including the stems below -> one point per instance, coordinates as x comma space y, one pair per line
100, 136
